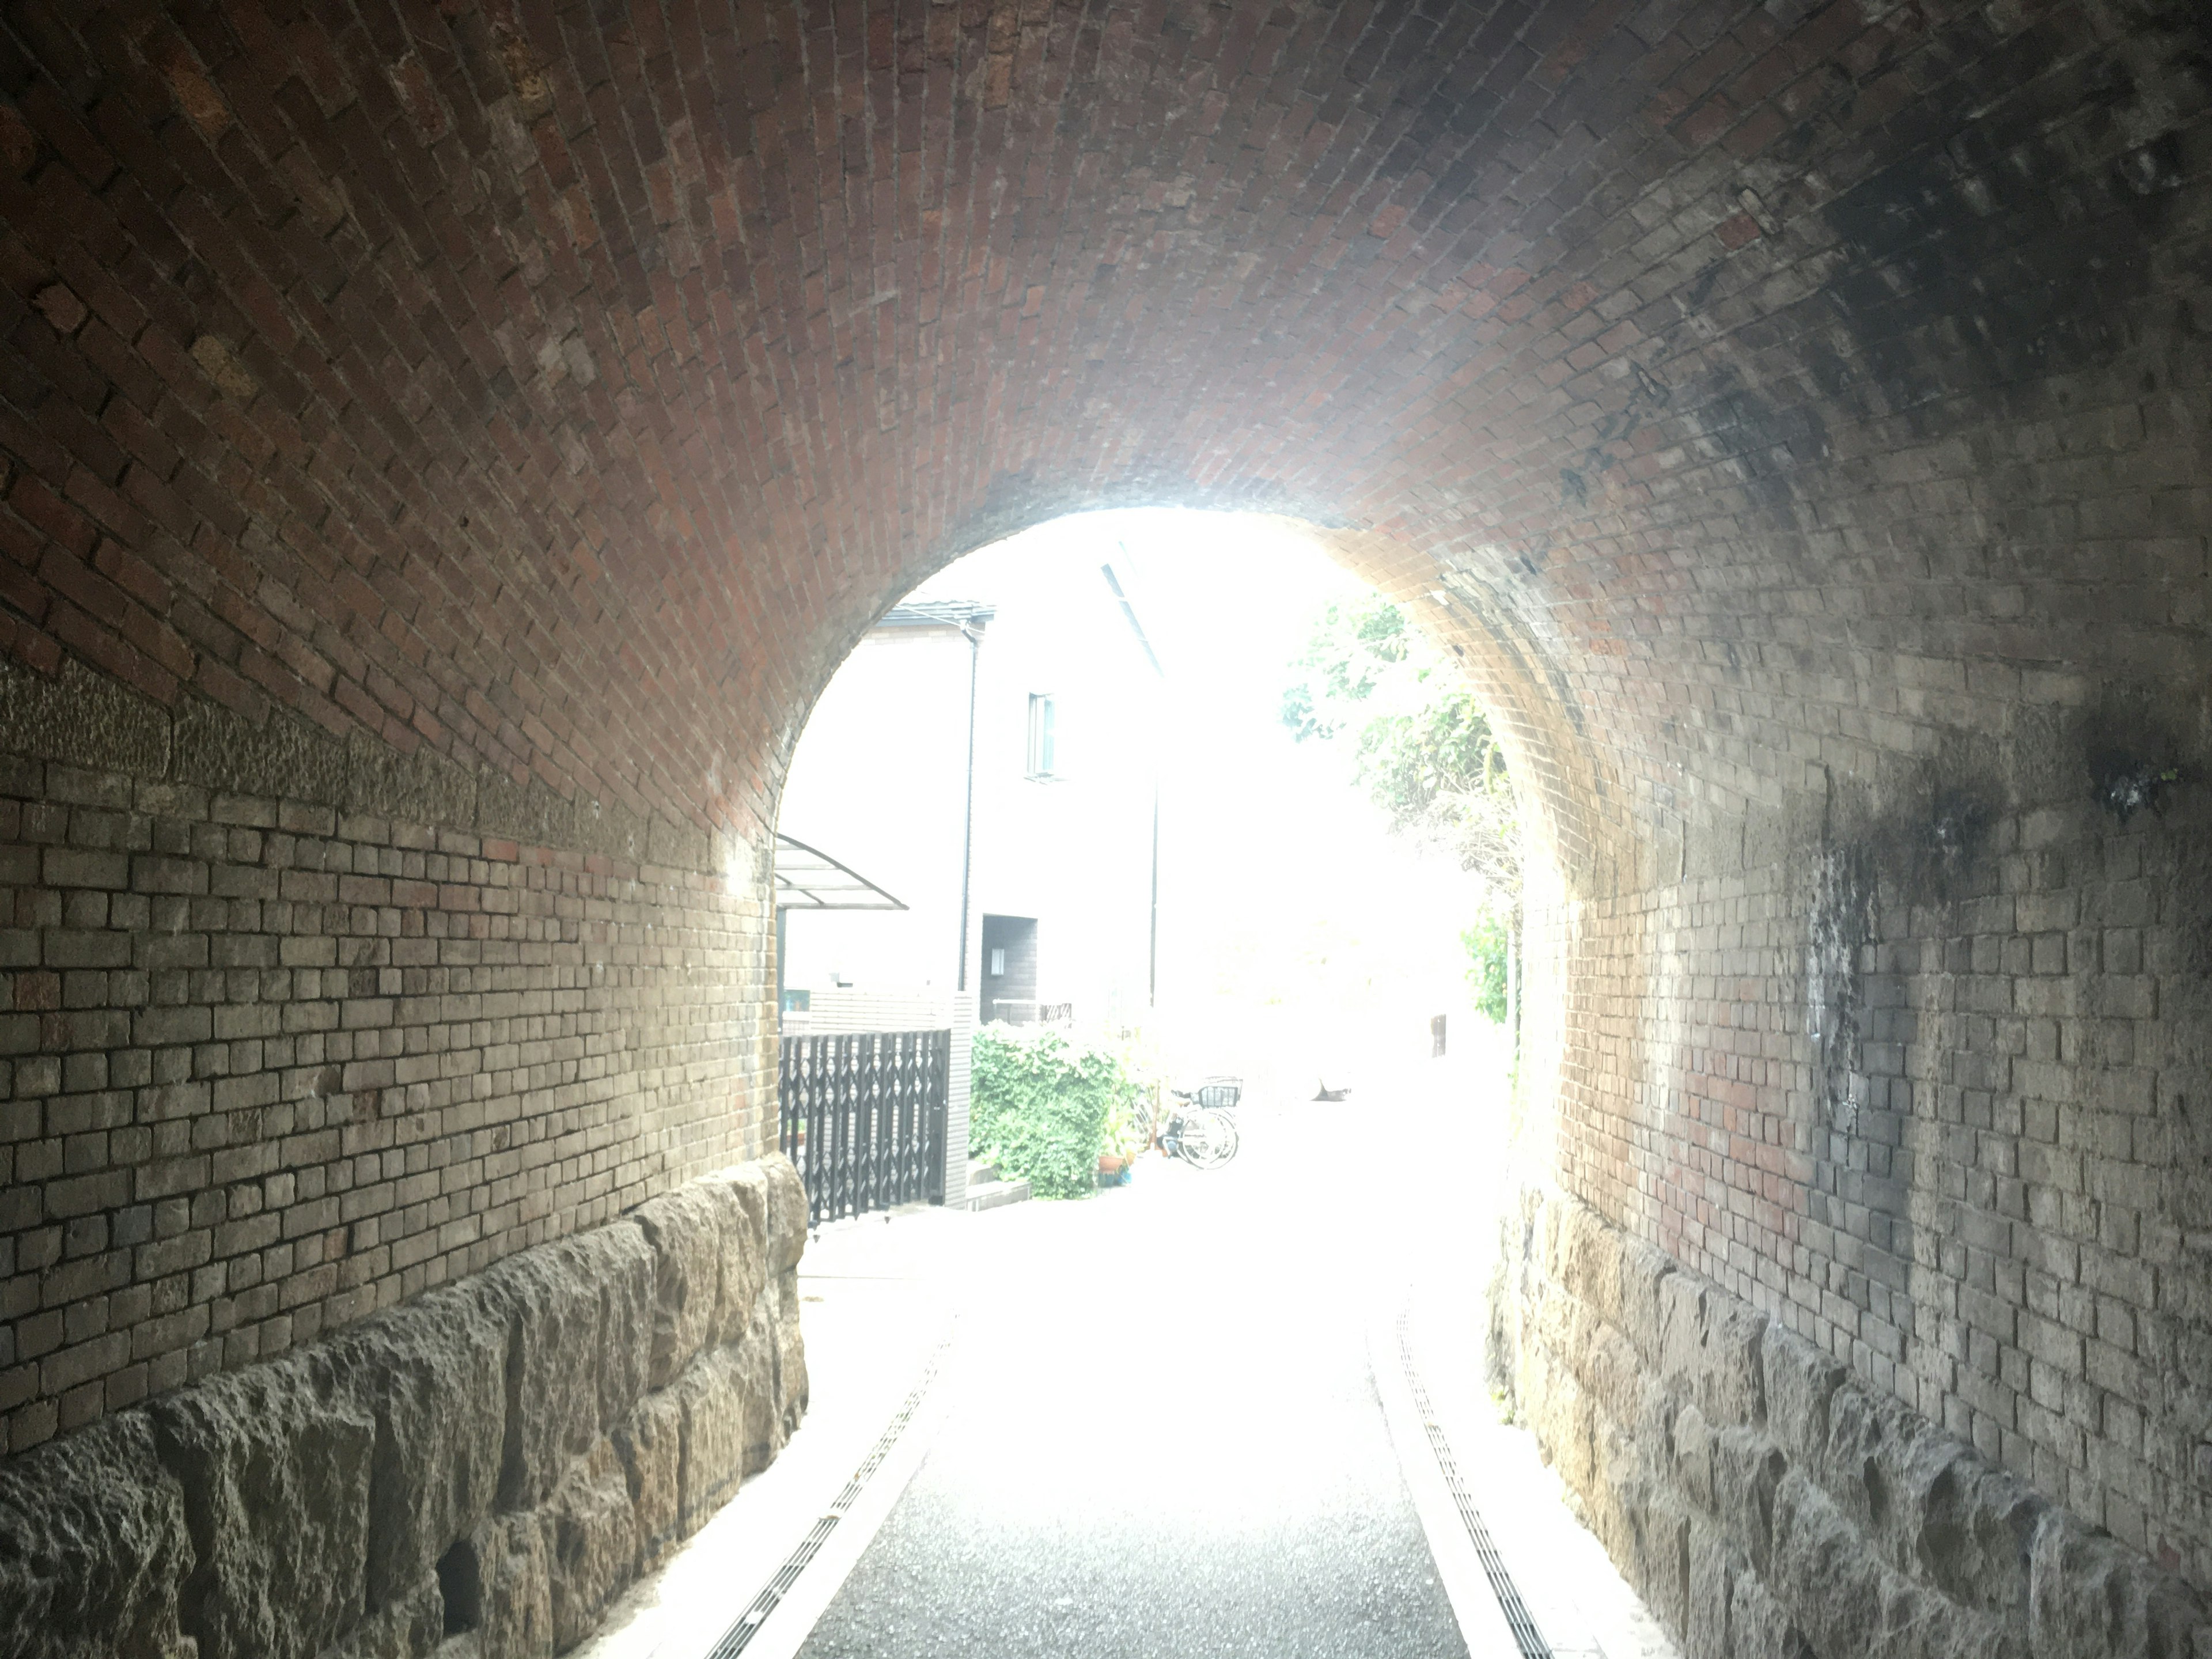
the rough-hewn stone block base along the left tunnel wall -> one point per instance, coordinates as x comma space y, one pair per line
474, 1474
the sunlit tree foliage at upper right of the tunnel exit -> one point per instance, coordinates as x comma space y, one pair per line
1421, 742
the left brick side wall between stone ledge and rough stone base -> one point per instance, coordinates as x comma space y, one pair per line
273, 1067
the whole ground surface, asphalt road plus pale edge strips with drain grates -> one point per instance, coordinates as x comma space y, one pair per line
1156, 1426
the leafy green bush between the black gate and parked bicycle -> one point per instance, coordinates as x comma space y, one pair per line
1041, 1107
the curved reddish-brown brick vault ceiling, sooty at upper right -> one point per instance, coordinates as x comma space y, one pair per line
565, 386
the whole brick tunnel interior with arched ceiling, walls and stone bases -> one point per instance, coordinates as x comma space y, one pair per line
448, 446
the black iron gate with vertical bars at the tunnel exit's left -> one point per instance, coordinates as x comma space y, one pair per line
864, 1118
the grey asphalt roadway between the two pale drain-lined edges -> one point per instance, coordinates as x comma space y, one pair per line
1162, 1434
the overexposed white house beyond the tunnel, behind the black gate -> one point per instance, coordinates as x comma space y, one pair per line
990, 760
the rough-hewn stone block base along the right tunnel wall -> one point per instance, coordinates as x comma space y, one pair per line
1771, 1507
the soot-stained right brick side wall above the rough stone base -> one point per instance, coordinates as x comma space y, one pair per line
1996, 1202
